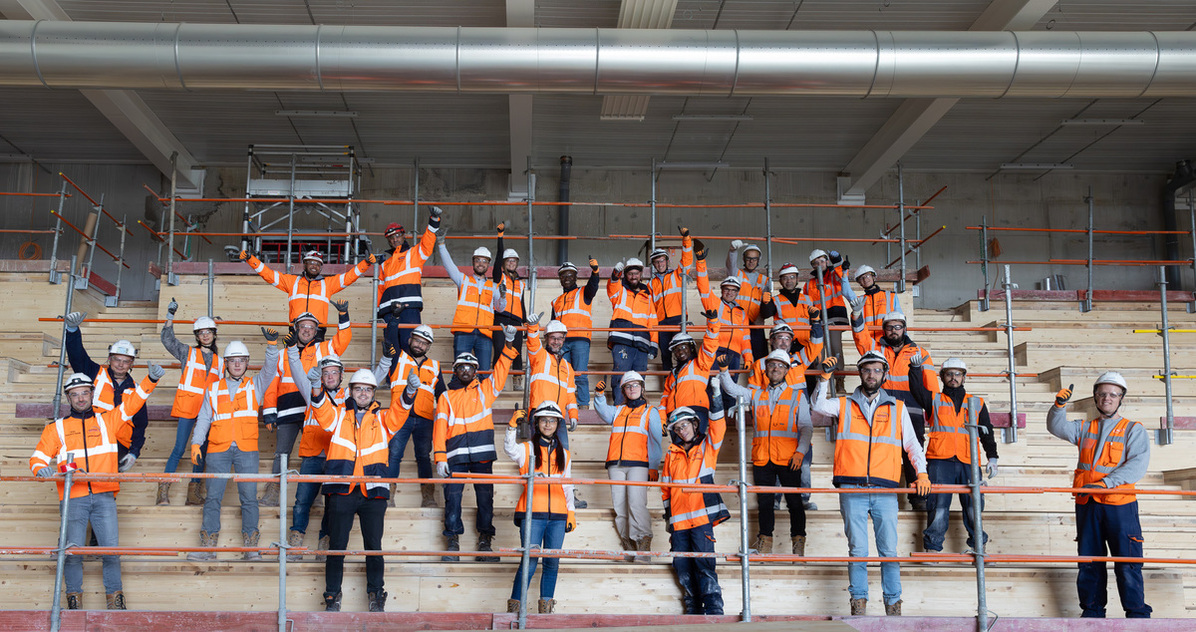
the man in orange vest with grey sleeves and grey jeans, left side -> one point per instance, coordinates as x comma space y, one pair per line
229, 422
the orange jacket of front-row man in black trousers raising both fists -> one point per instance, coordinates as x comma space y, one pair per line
359, 448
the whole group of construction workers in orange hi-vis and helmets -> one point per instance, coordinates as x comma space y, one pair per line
902, 427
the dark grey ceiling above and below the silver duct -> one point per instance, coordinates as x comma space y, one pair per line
487, 131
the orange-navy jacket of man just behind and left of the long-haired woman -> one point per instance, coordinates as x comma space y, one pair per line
463, 432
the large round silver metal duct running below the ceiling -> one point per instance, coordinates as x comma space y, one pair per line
599, 62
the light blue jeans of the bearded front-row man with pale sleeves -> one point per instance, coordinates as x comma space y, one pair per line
883, 508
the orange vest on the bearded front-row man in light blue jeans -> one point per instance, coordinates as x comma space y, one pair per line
869, 454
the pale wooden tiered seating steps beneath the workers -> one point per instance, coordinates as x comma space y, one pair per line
1061, 349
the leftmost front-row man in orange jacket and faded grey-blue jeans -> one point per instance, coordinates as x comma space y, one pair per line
87, 441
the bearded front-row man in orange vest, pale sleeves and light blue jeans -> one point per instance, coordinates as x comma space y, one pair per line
871, 433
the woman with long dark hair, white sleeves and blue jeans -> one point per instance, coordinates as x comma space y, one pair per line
552, 507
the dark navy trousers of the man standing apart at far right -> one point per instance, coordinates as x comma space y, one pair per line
1116, 527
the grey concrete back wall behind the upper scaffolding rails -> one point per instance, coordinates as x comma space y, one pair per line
1055, 202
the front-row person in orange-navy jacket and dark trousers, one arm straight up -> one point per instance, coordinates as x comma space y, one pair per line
691, 516
